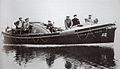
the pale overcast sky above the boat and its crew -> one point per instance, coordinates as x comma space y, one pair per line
56, 10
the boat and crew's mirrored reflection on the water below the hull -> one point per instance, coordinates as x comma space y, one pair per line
73, 57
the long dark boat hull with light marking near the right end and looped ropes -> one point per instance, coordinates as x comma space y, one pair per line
96, 34
